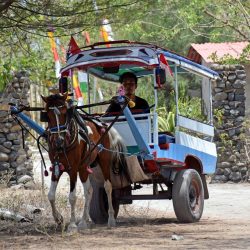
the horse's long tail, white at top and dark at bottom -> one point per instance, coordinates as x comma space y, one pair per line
119, 150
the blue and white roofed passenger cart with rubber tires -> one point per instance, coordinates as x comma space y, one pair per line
174, 163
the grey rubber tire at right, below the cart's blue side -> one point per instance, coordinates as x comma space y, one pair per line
188, 196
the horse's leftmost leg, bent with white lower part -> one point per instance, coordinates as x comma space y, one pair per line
52, 198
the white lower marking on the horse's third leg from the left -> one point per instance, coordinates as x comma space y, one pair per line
88, 190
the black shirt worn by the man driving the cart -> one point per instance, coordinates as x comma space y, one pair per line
140, 104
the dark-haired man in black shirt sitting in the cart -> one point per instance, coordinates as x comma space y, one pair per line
129, 81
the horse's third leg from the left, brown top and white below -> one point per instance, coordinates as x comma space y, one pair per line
88, 190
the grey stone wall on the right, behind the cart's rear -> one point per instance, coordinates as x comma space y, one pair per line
229, 110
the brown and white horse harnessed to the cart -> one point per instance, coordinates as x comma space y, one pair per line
72, 149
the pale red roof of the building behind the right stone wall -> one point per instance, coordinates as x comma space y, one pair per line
197, 52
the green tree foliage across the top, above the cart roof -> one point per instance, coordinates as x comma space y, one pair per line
173, 24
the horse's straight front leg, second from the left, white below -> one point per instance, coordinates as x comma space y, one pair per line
72, 200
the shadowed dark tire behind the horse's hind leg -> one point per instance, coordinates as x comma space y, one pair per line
99, 204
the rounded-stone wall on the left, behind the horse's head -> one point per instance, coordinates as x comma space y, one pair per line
16, 166
